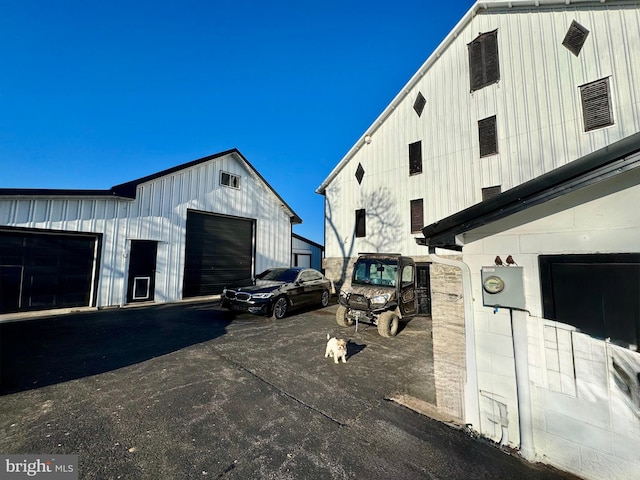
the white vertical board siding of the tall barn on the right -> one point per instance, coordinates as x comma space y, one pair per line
537, 106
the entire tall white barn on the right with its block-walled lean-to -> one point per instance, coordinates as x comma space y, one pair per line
518, 139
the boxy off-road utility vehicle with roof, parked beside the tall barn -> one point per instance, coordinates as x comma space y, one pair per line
382, 291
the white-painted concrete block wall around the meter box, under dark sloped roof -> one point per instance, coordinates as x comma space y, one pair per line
586, 419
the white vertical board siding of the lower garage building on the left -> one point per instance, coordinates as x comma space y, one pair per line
159, 213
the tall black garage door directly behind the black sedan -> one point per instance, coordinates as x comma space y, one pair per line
219, 252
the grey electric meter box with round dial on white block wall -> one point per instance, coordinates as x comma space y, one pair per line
503, 287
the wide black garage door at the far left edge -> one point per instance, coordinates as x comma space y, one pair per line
45, 270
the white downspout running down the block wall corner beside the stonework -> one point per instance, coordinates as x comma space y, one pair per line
471, 401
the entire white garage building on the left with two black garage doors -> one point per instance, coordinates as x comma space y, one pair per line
180, 233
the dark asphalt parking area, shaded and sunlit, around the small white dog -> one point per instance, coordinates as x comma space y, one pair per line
186, 391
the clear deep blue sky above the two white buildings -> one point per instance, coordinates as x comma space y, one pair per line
94, 93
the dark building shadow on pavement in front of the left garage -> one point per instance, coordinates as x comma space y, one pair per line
49, 350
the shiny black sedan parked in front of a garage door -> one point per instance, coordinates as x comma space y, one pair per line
277, 290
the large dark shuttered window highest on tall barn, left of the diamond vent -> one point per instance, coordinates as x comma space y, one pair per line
484, 67
